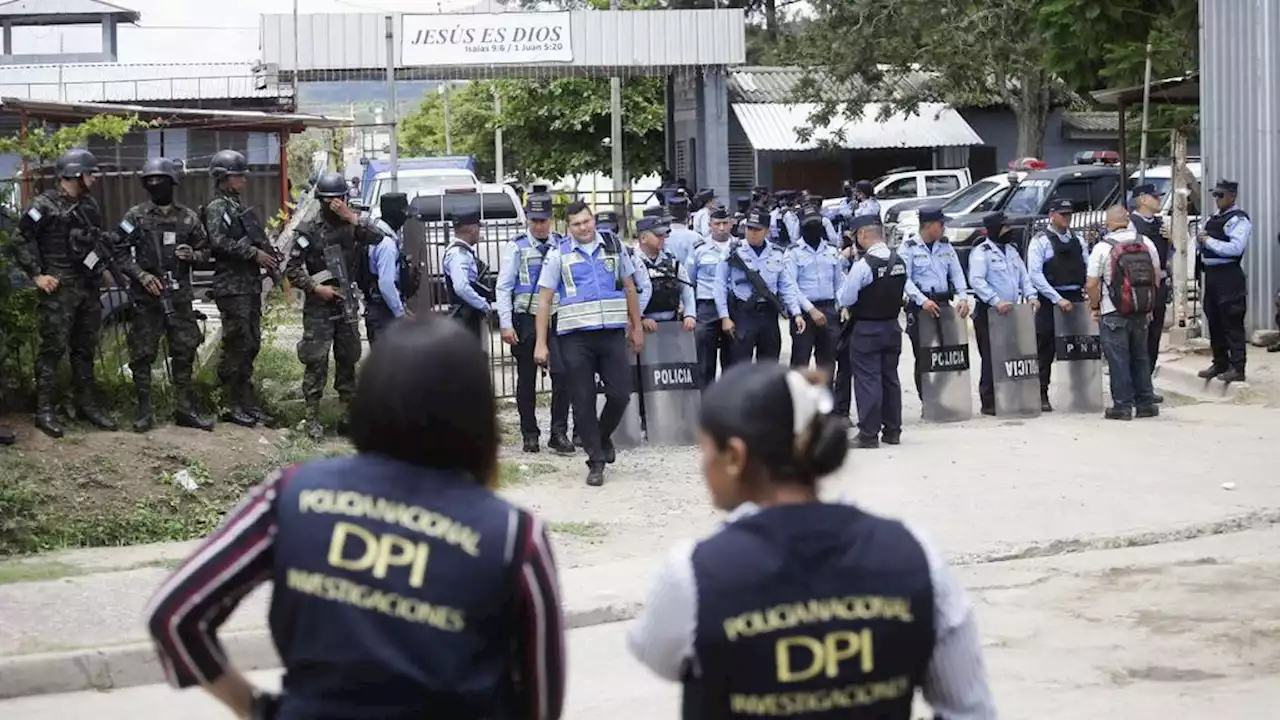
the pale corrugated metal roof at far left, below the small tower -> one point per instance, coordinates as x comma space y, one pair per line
115, 83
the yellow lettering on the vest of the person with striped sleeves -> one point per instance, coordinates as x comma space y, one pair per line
355, 549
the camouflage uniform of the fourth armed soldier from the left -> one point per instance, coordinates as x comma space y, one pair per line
323, 323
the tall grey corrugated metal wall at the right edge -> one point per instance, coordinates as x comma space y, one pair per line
1241, 129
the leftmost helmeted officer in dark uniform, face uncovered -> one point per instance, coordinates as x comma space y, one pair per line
62, 248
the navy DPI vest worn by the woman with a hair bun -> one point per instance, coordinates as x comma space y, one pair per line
816, 609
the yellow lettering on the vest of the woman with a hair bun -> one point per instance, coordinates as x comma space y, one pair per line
801, 658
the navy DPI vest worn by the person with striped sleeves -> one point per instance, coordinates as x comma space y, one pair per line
392, 593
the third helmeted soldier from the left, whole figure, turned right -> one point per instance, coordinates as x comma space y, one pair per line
240, 257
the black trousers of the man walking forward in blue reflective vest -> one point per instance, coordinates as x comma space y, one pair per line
589, 354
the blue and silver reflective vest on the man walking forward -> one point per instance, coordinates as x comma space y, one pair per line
592, 295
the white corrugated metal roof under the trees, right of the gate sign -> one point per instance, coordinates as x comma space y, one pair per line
772, 126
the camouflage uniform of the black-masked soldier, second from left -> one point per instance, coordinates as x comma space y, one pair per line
152, 235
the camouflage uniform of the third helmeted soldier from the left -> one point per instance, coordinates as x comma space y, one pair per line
237, 289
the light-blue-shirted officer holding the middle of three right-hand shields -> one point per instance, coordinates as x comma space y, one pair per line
999, 280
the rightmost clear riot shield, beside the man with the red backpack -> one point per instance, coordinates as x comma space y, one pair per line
1077, 385
